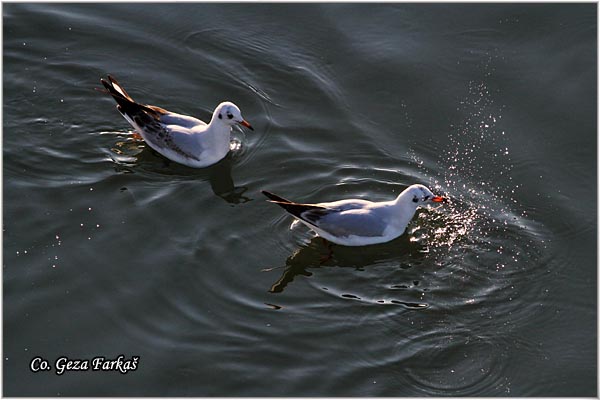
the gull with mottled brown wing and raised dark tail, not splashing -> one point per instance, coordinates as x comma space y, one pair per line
181, 138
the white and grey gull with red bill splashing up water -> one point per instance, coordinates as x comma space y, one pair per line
355, 222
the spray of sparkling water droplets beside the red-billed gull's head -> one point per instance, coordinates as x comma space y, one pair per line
476, 174
